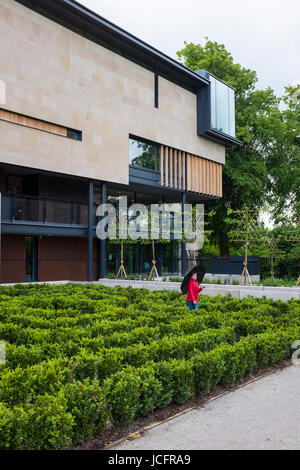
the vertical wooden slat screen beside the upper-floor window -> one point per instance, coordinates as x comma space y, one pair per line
184, 171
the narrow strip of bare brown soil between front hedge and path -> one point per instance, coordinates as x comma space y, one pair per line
138, 426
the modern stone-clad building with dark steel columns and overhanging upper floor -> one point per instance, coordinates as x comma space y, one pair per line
89, 112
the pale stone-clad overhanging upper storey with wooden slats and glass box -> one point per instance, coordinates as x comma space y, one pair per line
80, 90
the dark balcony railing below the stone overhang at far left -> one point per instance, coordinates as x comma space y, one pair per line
17, 208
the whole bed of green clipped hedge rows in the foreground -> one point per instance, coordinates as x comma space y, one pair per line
80, 358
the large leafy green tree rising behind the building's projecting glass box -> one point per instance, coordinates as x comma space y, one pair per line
255, 173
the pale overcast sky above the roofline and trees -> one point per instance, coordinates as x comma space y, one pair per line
263, 35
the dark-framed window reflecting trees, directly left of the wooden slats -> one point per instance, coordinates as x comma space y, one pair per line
144, 154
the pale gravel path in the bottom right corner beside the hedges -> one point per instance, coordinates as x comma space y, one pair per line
262, 415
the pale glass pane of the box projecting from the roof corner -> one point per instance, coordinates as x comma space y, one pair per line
222, 107
